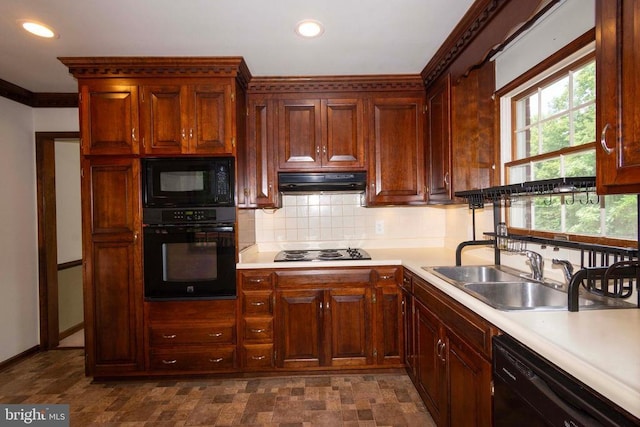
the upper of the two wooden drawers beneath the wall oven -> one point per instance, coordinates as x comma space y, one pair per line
205, 334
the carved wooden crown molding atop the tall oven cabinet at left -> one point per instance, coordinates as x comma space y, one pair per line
122, 66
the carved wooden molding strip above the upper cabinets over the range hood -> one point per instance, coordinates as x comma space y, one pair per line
336, 84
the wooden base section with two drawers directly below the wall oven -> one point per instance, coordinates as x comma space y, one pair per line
191, 336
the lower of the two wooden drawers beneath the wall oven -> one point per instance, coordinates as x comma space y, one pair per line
210, 359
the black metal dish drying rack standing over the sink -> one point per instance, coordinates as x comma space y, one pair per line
608, 271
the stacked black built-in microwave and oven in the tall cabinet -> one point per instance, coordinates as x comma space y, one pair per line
189, 231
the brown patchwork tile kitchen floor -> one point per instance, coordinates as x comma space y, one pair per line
315, 400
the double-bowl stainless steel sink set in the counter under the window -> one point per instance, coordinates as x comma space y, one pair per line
507, 289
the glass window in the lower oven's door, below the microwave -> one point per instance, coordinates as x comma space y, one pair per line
189, 262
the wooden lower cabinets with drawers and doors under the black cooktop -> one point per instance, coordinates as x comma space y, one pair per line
328, 318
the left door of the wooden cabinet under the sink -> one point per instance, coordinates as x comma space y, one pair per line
430, 365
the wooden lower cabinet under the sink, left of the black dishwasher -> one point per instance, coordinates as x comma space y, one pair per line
452, 355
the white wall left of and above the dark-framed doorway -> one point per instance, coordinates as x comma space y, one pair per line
19, 319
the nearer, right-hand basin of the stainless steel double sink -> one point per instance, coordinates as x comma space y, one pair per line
521, 295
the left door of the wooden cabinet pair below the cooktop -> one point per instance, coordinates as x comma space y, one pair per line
299, 317
